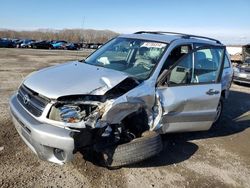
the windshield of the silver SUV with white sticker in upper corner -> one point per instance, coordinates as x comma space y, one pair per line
133, 56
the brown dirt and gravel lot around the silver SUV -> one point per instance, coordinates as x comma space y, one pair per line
216, 158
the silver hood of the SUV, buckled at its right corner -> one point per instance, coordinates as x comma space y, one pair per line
74, 78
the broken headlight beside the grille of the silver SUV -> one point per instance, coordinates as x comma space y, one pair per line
71, 113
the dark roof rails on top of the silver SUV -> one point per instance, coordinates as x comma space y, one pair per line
183, 35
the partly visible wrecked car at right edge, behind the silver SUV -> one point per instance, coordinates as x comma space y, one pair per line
242, 71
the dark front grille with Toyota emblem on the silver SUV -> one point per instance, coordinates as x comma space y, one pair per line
31, 101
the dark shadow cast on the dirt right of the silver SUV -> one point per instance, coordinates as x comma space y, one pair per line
178, 147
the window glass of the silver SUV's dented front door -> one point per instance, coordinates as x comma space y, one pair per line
199, 67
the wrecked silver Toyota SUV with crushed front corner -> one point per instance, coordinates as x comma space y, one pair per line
117, 102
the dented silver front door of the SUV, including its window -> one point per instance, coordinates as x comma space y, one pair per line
190, 92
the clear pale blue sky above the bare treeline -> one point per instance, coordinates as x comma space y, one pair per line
226, 20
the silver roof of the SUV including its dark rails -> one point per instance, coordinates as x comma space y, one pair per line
168, 37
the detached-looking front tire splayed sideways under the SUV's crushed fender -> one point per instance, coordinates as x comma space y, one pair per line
139, 149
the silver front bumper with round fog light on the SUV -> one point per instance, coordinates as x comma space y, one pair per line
49, 142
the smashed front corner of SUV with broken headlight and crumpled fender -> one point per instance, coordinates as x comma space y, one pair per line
100, 121
